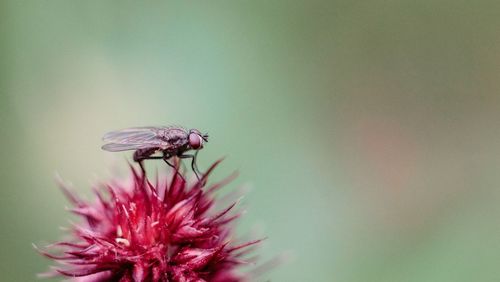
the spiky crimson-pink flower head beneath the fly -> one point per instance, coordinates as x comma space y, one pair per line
140, 231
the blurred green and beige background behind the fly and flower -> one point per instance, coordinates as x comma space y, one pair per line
368, 132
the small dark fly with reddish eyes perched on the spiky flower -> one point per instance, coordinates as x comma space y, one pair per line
171, 141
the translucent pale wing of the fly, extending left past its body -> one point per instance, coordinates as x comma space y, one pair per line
133, 139
